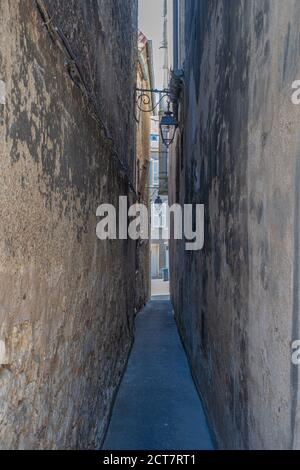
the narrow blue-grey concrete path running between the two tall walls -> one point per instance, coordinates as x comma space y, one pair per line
157, 407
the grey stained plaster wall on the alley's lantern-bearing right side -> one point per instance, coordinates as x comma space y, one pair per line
237, 301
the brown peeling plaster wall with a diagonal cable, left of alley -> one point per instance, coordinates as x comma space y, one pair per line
66, 299
